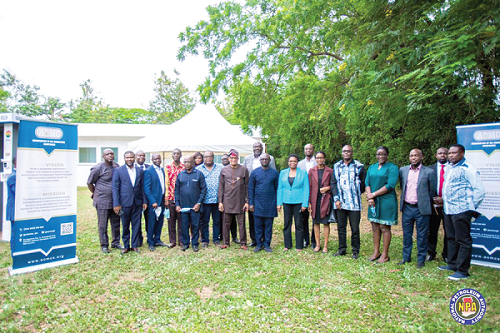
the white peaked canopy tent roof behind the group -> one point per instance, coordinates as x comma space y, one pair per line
203, 129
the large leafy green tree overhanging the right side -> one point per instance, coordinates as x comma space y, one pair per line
397, 73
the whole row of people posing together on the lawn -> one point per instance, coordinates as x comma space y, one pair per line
193, 192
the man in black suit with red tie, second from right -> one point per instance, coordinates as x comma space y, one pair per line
437, 214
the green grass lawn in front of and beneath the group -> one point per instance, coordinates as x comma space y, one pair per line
234, 290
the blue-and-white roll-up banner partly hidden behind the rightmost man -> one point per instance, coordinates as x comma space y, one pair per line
482, 150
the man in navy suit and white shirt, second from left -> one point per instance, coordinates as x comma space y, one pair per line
129, 200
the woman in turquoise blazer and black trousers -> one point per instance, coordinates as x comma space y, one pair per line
293, 195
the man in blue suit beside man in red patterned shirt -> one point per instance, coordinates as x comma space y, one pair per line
154, 189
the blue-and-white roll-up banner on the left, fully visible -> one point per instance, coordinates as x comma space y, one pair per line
44, 231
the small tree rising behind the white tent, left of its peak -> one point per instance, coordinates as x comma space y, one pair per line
172, 100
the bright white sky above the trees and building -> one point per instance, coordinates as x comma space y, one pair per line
118, 45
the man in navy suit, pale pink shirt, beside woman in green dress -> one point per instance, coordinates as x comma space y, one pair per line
418, 187
